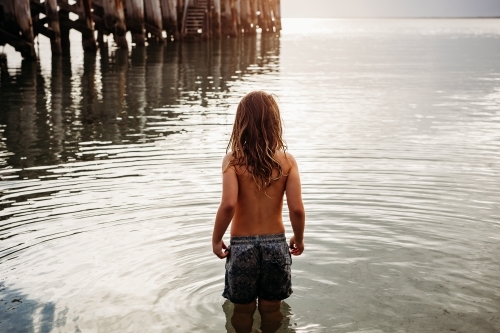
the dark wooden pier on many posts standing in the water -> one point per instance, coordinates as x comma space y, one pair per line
157, 21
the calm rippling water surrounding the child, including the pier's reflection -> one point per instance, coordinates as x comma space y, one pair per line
110, 169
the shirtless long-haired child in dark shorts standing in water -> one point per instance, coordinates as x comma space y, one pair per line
257, 173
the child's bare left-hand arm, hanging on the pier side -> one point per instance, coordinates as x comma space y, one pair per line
226, 209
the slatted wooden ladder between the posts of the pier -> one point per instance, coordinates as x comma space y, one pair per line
196, 21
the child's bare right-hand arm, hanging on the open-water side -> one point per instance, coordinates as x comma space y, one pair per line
295, 207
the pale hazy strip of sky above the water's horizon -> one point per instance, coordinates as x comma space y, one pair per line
390, 8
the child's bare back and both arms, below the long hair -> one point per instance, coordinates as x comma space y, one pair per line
255, 212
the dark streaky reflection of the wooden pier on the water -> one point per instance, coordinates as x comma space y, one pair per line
120, 97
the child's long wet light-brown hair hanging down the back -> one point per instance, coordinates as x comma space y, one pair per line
257, 136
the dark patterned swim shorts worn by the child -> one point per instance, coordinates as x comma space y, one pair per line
258, 266
